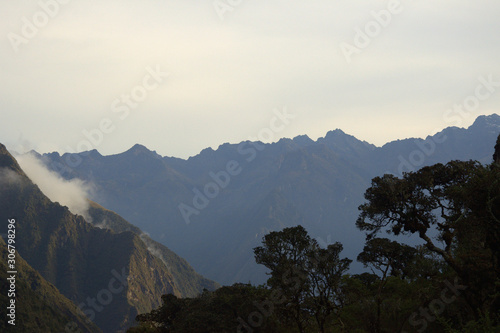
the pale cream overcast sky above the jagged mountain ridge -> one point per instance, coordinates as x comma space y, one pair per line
180, 76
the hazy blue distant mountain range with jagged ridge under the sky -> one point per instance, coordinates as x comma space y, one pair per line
213, 208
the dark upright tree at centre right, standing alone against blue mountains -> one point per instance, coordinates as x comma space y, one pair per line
307, 275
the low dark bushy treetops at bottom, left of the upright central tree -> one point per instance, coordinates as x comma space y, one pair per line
236, 308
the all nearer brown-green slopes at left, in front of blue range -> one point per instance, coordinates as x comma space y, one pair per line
111, 275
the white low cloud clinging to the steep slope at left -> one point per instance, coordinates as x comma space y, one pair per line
72, 193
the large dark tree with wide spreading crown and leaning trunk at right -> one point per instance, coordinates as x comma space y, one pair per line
417, 204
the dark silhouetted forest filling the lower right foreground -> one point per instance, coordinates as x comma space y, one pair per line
449, 283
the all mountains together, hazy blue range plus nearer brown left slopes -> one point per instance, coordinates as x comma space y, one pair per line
211, 209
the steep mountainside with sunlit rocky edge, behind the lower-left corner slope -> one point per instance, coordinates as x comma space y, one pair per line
111, 276
